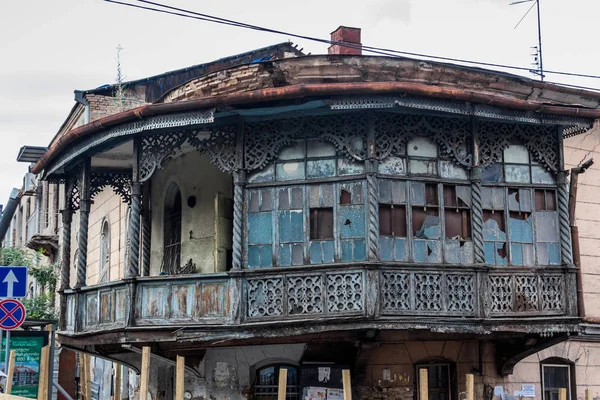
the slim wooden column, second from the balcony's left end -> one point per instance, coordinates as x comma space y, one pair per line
84, 215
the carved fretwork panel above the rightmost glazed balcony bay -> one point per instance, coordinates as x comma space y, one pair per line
541, 141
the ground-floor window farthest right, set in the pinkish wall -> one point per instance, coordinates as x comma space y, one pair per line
557, 373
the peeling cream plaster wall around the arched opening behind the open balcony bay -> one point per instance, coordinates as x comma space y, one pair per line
195, 176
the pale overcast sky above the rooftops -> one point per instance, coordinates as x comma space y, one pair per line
50, 48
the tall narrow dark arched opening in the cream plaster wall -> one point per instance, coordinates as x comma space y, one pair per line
172, 233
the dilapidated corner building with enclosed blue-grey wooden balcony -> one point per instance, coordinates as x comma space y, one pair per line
324, 212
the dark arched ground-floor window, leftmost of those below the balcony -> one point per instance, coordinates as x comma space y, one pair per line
267, 381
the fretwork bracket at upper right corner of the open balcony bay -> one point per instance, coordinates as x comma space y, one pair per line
219, 144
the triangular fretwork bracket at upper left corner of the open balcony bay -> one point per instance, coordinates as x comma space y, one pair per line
157, 149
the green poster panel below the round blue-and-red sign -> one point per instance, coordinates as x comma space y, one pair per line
28, 347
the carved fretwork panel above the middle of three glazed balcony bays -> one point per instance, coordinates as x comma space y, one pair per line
392, 131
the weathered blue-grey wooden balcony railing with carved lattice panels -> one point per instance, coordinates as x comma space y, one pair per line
369, 292
